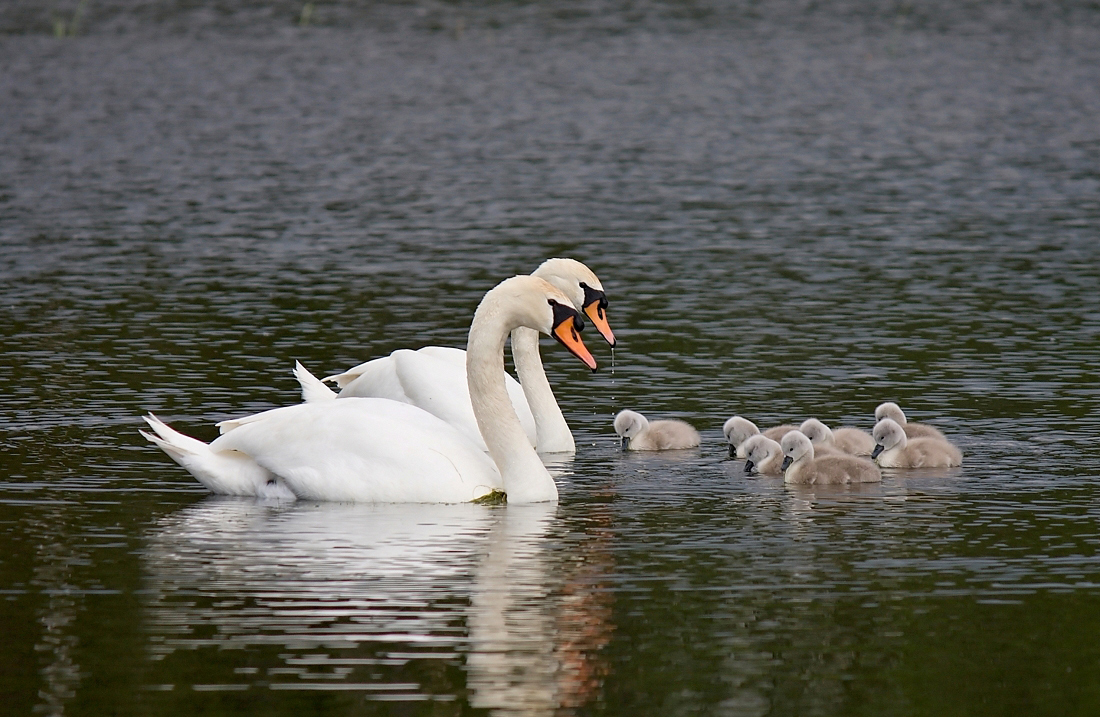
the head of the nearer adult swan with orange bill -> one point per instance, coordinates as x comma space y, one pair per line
536, 304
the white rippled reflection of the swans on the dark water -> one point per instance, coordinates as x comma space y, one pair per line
386, 601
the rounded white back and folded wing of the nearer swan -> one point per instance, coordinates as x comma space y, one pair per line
366, 450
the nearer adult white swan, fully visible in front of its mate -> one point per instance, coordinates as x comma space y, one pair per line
376, 450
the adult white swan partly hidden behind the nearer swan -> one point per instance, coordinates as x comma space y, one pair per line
435, 379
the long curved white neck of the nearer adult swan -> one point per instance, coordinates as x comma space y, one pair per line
525, 479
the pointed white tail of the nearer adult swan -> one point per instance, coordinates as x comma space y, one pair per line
224, 473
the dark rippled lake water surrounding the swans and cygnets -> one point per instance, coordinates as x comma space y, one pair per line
798, 209
